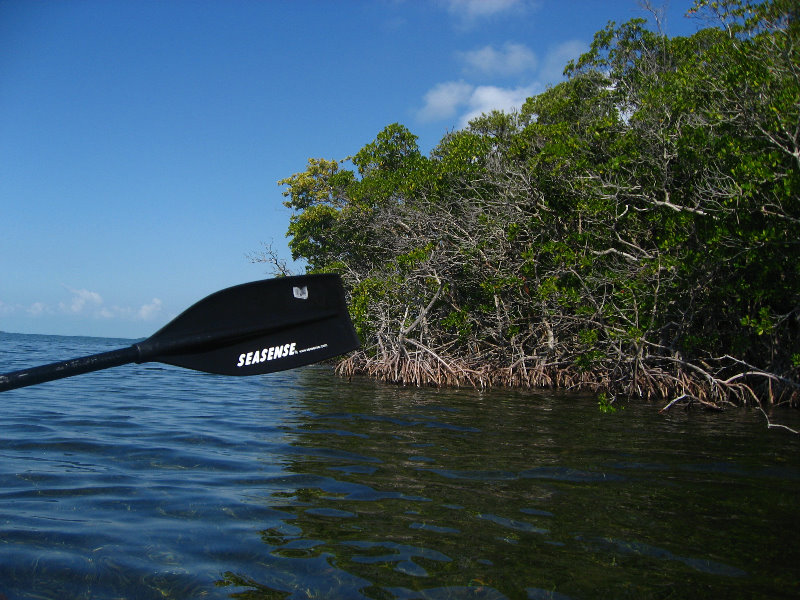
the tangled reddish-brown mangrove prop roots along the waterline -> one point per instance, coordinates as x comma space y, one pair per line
681, 384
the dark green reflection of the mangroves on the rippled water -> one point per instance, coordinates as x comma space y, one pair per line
406, 493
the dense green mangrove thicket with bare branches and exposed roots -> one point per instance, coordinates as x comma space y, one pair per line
633, 230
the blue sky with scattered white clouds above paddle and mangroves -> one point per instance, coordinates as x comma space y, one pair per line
141, 142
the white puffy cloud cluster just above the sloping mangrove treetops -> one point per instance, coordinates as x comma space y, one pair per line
462, 101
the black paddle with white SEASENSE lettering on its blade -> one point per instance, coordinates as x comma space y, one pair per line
248, 329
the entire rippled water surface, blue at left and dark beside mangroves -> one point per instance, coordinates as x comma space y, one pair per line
148, 481
